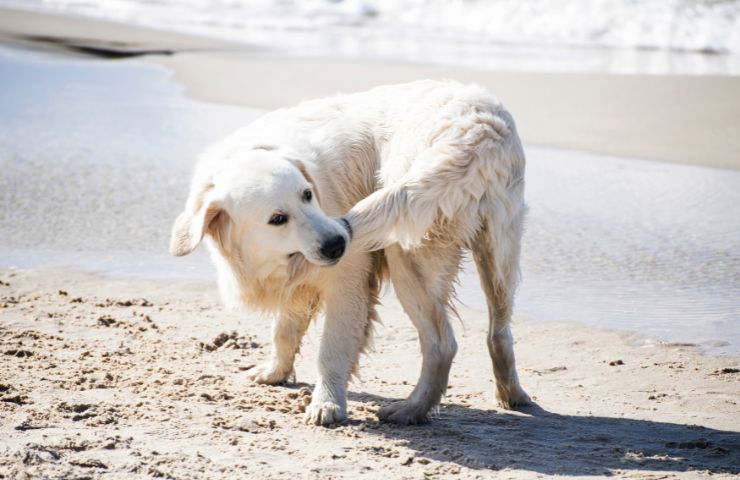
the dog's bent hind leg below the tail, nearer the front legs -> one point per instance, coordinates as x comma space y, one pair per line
423, 280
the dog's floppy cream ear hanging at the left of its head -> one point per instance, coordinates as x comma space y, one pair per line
192, 224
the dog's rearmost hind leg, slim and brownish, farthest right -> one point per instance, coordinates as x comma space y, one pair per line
498, 270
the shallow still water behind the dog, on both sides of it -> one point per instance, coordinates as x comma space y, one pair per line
95, 158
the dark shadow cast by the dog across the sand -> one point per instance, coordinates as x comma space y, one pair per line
545, 442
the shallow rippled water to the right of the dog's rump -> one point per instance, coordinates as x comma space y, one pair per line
631, 244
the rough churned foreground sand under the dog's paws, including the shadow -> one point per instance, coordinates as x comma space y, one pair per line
105, 378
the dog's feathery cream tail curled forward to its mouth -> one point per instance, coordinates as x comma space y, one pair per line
466, 166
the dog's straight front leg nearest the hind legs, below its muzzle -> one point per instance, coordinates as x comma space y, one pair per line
344, 334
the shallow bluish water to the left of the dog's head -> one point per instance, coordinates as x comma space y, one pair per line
95, 158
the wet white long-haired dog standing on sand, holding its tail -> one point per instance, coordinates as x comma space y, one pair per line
415, 174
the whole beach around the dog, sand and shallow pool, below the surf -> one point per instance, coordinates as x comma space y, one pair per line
136, 371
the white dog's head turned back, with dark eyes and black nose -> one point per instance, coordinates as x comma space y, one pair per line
261, 208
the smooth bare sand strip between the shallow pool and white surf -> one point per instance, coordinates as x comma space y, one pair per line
678, 119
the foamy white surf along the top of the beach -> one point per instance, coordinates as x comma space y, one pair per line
678, 25
